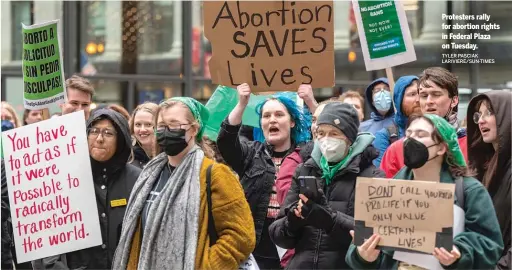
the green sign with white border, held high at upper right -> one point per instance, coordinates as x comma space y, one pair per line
384, 33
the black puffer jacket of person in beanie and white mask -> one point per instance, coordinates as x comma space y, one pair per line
314, 248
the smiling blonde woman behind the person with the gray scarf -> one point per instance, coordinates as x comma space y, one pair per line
142, 125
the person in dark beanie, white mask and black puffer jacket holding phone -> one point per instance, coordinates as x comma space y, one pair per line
317, 223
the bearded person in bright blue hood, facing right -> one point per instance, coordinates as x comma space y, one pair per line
407, 103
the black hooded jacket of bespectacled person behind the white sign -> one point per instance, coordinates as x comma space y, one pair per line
113, 180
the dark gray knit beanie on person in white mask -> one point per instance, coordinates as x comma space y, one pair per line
341, 116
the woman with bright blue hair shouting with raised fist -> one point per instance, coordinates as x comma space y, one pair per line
266, 165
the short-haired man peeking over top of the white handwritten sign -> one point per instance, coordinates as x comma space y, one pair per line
79, 96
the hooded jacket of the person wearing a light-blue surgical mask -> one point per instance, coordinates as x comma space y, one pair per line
377, 121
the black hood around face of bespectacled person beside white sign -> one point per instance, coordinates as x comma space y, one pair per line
123, 148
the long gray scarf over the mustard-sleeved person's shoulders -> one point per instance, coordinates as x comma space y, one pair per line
169, 240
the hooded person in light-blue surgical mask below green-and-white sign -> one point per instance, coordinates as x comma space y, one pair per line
378, 96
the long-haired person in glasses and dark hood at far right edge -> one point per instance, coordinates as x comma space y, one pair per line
489, 134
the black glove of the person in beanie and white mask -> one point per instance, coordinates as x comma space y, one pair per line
319, 215
